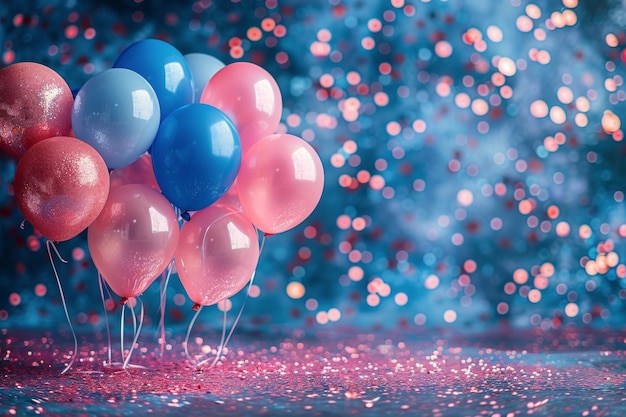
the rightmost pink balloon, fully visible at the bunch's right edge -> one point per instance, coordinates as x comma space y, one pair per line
280, 182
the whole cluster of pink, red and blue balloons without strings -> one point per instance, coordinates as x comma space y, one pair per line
159, 140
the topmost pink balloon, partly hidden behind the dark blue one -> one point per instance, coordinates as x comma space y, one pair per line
249, 96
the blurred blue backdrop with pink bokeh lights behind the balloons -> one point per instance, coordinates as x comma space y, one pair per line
473, 153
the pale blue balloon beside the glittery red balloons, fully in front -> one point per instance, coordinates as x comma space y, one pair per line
117, 112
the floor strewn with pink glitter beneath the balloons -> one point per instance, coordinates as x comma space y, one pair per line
540, 373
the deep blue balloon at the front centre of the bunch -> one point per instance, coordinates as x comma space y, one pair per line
196, 156
